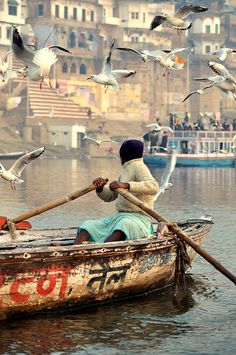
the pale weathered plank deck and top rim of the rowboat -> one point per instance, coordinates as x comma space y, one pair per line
57, 239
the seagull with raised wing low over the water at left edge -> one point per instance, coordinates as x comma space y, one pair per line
13, 174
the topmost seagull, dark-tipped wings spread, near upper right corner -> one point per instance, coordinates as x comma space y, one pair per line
177, 20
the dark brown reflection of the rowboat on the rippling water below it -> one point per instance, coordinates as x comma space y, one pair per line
147, 319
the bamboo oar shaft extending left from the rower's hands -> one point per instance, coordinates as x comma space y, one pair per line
48, 206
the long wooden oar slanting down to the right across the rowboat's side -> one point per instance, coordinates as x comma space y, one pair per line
175, 229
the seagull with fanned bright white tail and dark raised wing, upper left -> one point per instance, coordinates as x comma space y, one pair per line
37, 63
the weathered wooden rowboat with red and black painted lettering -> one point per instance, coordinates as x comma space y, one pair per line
37, 275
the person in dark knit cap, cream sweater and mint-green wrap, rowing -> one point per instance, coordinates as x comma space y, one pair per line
129, 222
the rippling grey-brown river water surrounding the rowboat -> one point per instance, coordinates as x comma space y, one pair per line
200, 320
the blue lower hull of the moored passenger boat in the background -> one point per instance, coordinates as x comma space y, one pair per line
185, 160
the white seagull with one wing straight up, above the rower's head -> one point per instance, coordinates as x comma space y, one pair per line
108, 77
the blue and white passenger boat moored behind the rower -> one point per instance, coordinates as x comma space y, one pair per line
198, 148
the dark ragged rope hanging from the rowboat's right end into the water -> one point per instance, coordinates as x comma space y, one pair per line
182, 261
